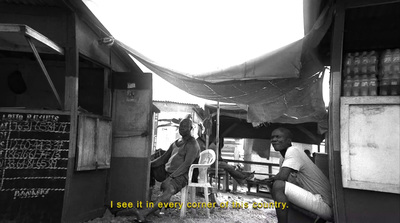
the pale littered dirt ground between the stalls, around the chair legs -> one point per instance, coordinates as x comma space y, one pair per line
230, 214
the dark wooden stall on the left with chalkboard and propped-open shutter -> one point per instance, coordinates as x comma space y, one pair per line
67, 144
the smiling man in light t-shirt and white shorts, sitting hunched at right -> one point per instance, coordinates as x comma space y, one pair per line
299, 180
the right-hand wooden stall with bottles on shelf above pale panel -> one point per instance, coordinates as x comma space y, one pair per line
365, 116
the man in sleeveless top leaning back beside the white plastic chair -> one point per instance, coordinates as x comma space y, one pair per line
172, 167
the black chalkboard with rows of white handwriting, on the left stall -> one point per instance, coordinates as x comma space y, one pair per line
33, 165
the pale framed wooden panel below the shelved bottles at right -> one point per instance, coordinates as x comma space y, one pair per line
365, 138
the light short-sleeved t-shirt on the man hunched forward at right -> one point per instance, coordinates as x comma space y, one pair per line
309, 176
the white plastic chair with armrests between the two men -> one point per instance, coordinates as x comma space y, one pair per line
207, 158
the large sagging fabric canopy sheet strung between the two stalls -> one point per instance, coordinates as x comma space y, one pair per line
280, 86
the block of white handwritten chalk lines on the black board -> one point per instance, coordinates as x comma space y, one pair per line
33, 149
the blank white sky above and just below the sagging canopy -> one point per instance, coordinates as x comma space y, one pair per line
200, 36
